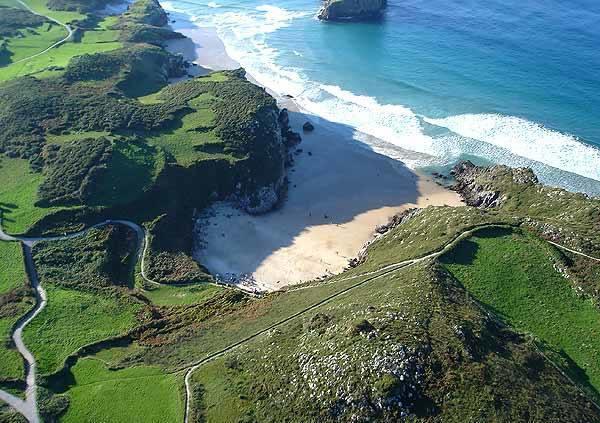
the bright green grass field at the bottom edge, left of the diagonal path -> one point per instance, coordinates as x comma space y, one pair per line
135, 394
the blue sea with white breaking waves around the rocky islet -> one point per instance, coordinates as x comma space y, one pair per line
504, 81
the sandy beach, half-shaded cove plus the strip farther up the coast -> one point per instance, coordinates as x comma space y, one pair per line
339, 191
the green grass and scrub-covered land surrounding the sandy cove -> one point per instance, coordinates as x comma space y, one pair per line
500, 326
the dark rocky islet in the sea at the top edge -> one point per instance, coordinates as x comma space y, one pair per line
352, 10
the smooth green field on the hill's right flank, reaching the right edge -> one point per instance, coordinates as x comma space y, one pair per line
514, 275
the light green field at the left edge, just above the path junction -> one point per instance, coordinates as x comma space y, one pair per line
18, 193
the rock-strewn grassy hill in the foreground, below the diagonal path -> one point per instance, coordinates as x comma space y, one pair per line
320, 367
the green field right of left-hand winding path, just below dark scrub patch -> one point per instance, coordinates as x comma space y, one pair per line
73, 319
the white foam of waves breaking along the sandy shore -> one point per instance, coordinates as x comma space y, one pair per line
393, 128
